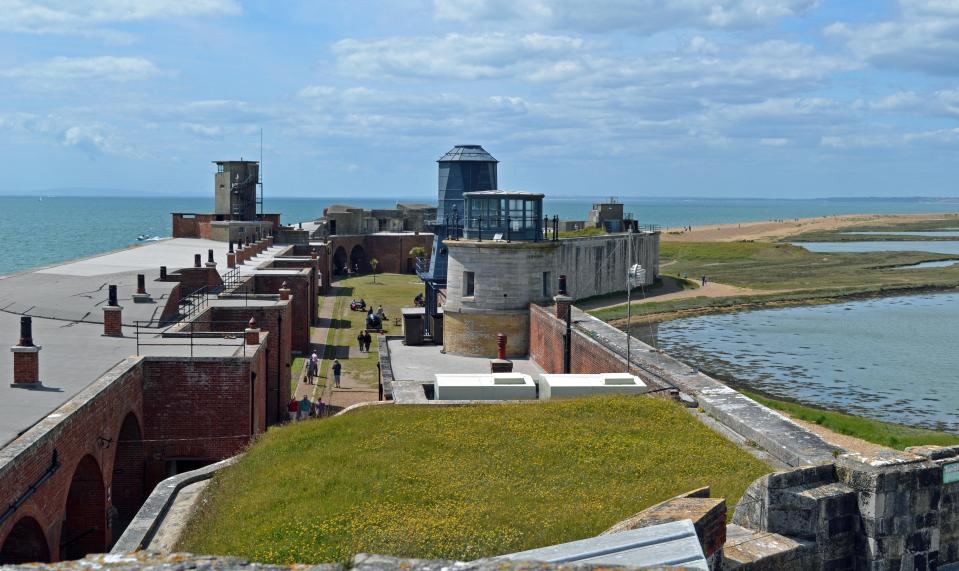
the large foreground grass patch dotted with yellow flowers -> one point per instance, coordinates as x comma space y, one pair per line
459, 482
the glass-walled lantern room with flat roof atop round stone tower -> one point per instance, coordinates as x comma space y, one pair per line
503, 215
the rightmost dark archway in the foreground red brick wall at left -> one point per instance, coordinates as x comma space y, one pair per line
127, 487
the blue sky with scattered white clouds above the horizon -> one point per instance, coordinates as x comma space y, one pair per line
629, 98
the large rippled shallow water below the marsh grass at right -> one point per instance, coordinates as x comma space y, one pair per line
893, 358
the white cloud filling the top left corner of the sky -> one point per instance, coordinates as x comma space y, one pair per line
95, 17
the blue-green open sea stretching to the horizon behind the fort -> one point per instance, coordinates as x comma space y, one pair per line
56, 229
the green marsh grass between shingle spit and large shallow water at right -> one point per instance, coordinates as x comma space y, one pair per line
793, 275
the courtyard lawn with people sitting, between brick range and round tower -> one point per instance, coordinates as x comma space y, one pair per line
393, 291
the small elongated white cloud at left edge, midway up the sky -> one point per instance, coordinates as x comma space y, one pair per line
62, 71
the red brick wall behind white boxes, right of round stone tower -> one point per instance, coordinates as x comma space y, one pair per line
546, 346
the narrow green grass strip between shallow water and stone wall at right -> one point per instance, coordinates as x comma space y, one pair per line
885, 433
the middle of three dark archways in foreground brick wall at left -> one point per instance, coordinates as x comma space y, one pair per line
85, 524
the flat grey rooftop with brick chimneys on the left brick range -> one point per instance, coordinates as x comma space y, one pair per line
66, 302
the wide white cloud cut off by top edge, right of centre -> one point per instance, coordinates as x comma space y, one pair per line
644, 16
